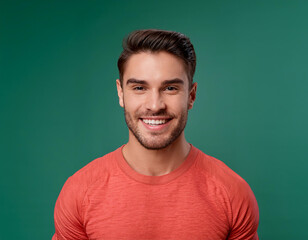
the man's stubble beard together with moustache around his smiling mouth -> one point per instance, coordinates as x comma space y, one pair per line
154, 142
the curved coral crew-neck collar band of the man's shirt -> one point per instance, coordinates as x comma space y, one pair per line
156, 180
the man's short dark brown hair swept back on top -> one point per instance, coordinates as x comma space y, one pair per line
154, 40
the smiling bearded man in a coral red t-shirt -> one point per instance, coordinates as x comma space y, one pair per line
157, 186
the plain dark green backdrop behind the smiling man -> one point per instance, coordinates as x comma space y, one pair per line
59, 108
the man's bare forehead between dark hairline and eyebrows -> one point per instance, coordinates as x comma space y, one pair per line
158, 66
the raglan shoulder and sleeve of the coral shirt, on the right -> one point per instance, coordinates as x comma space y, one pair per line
242, 207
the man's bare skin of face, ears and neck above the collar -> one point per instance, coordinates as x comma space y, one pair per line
155, 87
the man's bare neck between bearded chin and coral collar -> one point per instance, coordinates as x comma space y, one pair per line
156, 162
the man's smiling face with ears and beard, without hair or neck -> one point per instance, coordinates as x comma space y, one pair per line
156, 97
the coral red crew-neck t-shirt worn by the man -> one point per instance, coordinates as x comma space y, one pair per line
201, 199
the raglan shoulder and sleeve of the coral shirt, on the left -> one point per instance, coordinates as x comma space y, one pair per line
69, 208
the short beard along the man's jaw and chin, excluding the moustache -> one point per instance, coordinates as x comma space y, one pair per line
156, 146
